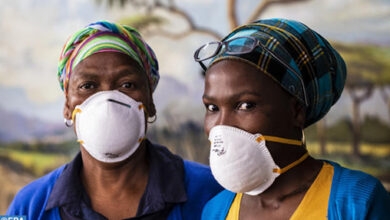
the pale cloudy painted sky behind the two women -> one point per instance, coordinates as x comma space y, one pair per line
33, 33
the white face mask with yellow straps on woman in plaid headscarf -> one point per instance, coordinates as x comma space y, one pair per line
241, 162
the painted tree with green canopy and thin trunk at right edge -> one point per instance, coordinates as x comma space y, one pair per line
368, 68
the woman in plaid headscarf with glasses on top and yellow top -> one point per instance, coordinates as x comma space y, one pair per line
266, 82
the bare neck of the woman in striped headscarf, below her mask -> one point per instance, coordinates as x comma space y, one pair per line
121, 179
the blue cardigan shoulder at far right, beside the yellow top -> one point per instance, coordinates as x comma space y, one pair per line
357, 192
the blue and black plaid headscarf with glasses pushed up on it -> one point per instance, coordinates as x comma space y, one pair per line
309, 54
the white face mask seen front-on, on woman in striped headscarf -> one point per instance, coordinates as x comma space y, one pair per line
110, 125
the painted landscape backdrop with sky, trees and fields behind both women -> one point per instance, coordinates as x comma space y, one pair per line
34, 140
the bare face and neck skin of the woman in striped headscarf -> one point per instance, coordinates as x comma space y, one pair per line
115, 189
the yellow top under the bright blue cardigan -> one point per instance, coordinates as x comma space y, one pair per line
314, 204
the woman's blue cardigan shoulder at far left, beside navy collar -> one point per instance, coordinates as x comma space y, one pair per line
32, 198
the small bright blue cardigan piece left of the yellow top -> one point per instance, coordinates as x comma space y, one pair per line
218, 207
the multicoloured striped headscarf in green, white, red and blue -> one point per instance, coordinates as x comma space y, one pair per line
104, 36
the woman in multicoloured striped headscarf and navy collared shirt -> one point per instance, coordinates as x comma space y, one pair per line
108, 74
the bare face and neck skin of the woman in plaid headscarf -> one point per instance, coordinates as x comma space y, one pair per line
240, 95
